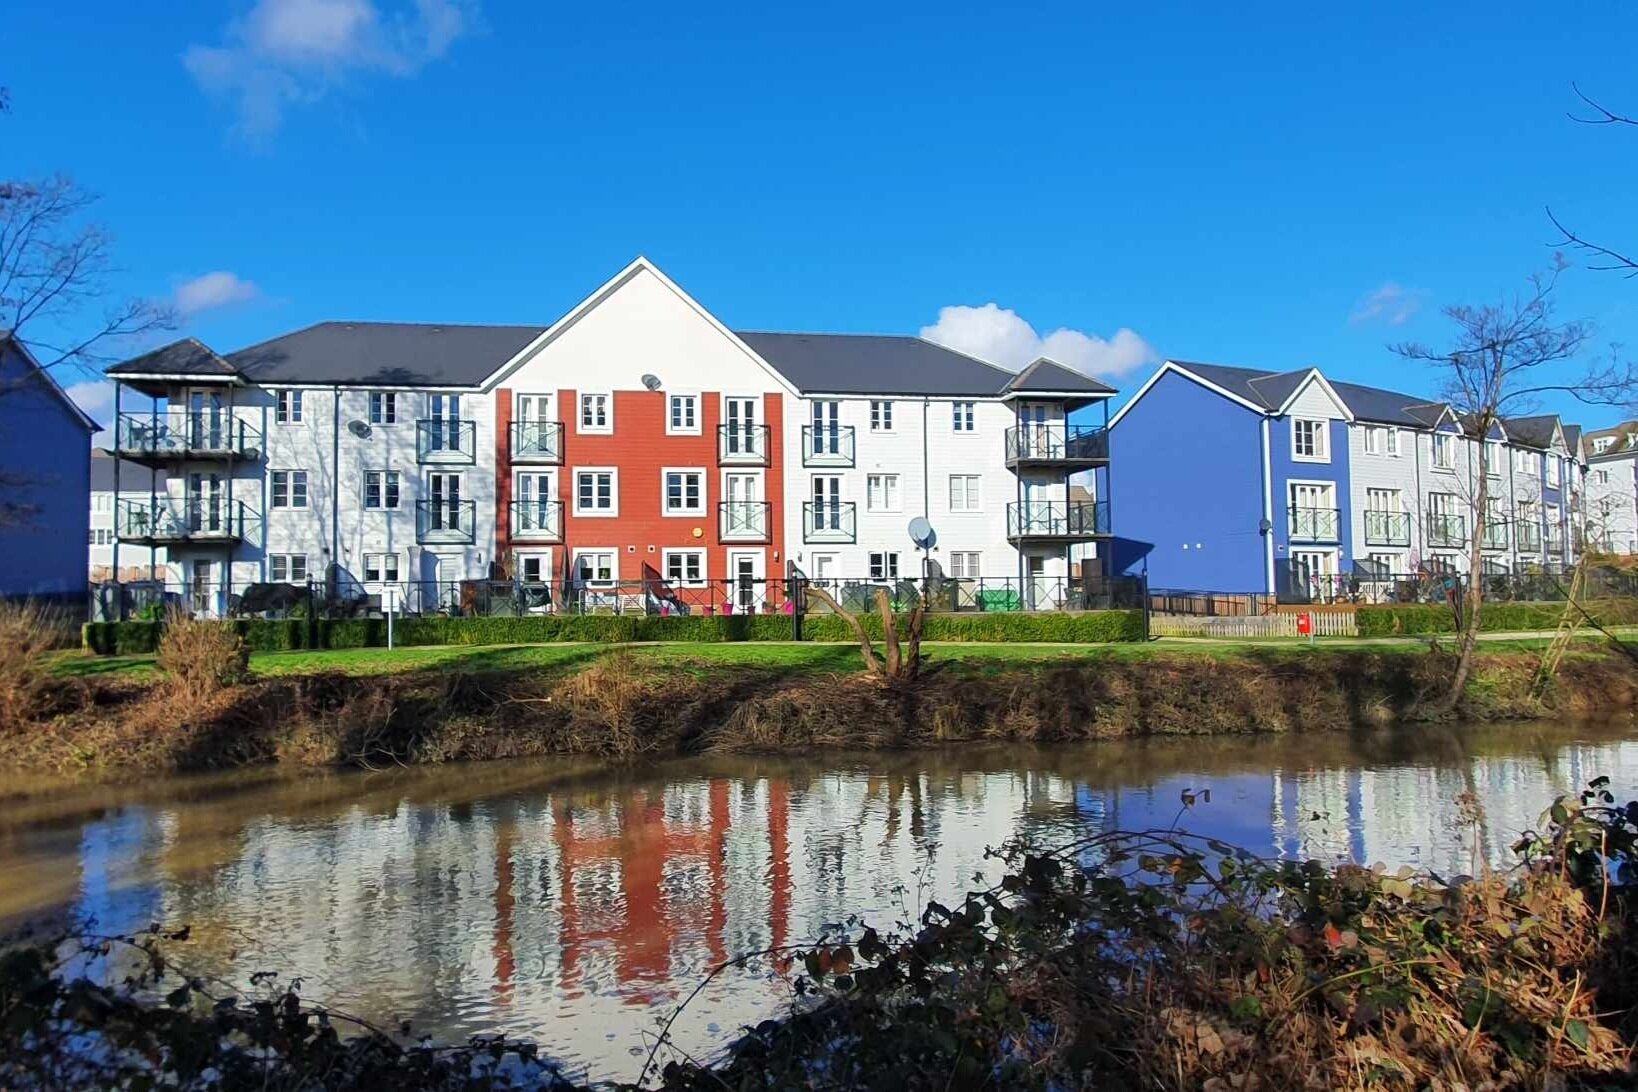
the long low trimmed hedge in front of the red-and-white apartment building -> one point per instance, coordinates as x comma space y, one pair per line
292, 634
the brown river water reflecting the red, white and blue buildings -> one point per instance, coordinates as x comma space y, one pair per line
577, 905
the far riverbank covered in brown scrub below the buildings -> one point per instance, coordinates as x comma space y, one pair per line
446, 705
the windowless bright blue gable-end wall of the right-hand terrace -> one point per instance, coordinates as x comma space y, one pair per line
1187, 490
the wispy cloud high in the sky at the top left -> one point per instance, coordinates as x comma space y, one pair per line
289, 53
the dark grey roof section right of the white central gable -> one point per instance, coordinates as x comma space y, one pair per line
876, 364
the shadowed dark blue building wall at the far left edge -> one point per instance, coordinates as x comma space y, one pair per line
43, 443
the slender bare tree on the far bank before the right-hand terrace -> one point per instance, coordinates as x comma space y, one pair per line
1503, 359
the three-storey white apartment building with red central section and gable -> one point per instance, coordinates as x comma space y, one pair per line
623, 458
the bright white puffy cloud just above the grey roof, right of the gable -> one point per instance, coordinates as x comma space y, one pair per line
998, 335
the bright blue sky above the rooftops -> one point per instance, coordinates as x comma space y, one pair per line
1283, 187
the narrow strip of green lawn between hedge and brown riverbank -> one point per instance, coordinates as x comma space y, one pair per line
795, 659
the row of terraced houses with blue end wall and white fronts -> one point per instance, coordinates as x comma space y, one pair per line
1295, 485
